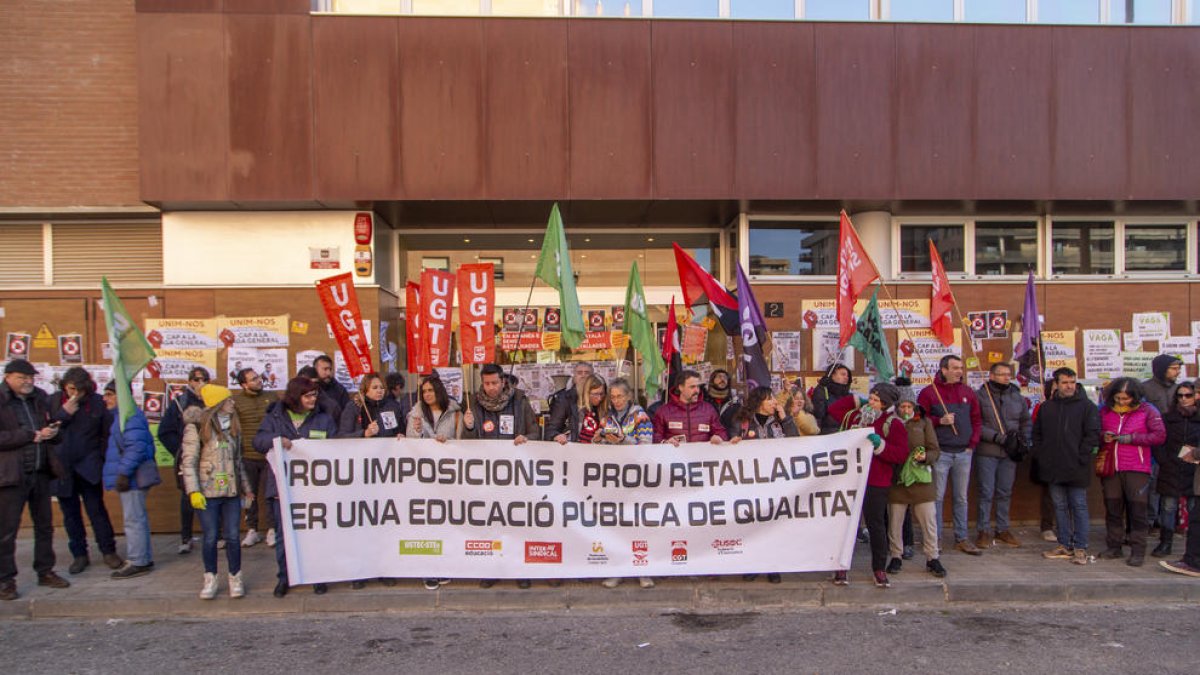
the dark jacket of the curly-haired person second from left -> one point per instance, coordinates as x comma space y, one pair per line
85, 439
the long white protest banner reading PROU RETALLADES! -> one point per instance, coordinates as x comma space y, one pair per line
489, 510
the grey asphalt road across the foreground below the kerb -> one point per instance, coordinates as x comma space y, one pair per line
1072, 640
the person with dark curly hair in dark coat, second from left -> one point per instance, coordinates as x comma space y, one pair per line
85, 432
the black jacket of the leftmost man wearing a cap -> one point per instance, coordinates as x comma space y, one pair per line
20, 422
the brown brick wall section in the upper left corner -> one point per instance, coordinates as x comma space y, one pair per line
69, 104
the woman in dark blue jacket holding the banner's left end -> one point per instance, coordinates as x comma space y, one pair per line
295, 417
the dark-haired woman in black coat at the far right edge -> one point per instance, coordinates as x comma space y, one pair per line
1177, 475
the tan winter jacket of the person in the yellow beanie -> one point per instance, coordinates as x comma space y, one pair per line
214, 467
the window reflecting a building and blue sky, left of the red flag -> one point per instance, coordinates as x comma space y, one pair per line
794, 248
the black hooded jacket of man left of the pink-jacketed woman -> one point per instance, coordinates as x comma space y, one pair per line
1066, 434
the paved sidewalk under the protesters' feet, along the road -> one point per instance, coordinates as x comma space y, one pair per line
1000, 576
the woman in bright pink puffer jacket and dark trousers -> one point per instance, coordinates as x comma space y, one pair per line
1131, 428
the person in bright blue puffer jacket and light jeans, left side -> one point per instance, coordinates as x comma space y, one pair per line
130, 469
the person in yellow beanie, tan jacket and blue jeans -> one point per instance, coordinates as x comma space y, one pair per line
217, 483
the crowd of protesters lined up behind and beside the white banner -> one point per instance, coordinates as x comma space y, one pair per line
1141, 443
